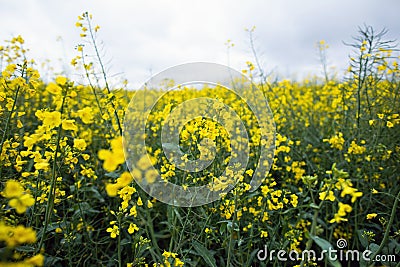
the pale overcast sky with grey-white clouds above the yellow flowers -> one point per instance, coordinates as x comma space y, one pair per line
144, 37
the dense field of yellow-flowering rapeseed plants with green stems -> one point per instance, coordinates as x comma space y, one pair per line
69, 197
